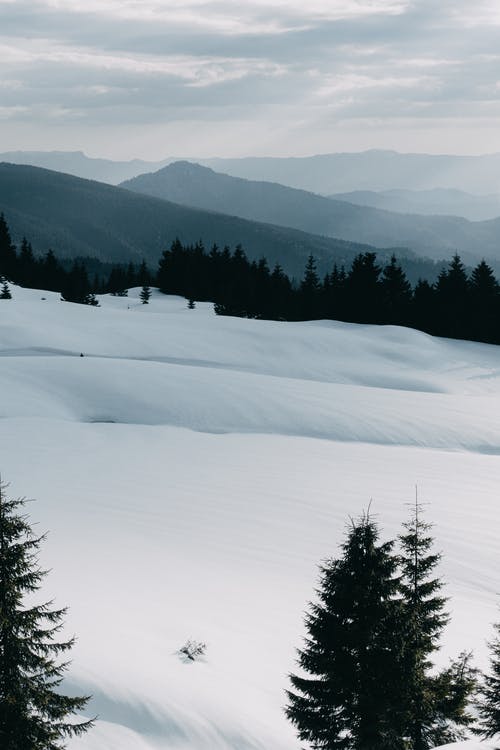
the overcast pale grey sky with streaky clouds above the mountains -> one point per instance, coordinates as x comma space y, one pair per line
157, 78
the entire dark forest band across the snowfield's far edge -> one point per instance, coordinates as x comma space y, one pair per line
458, 305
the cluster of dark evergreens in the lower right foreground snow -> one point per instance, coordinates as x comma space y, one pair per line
367, 680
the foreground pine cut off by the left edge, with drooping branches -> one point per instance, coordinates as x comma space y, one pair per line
34, 715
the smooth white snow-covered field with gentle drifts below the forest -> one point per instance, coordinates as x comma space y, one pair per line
193, 471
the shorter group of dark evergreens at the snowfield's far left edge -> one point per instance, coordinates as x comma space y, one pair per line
72, 279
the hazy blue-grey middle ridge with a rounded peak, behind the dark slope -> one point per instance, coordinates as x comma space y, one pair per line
432, 236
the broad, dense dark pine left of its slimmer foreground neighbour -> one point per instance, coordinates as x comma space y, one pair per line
351, 651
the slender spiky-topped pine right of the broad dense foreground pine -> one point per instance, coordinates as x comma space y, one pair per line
433, 708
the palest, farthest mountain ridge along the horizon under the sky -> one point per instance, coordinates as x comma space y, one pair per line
373, 170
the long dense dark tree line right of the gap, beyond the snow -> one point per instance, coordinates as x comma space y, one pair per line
458, 305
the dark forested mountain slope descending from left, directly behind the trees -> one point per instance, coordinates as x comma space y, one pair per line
77, 217
